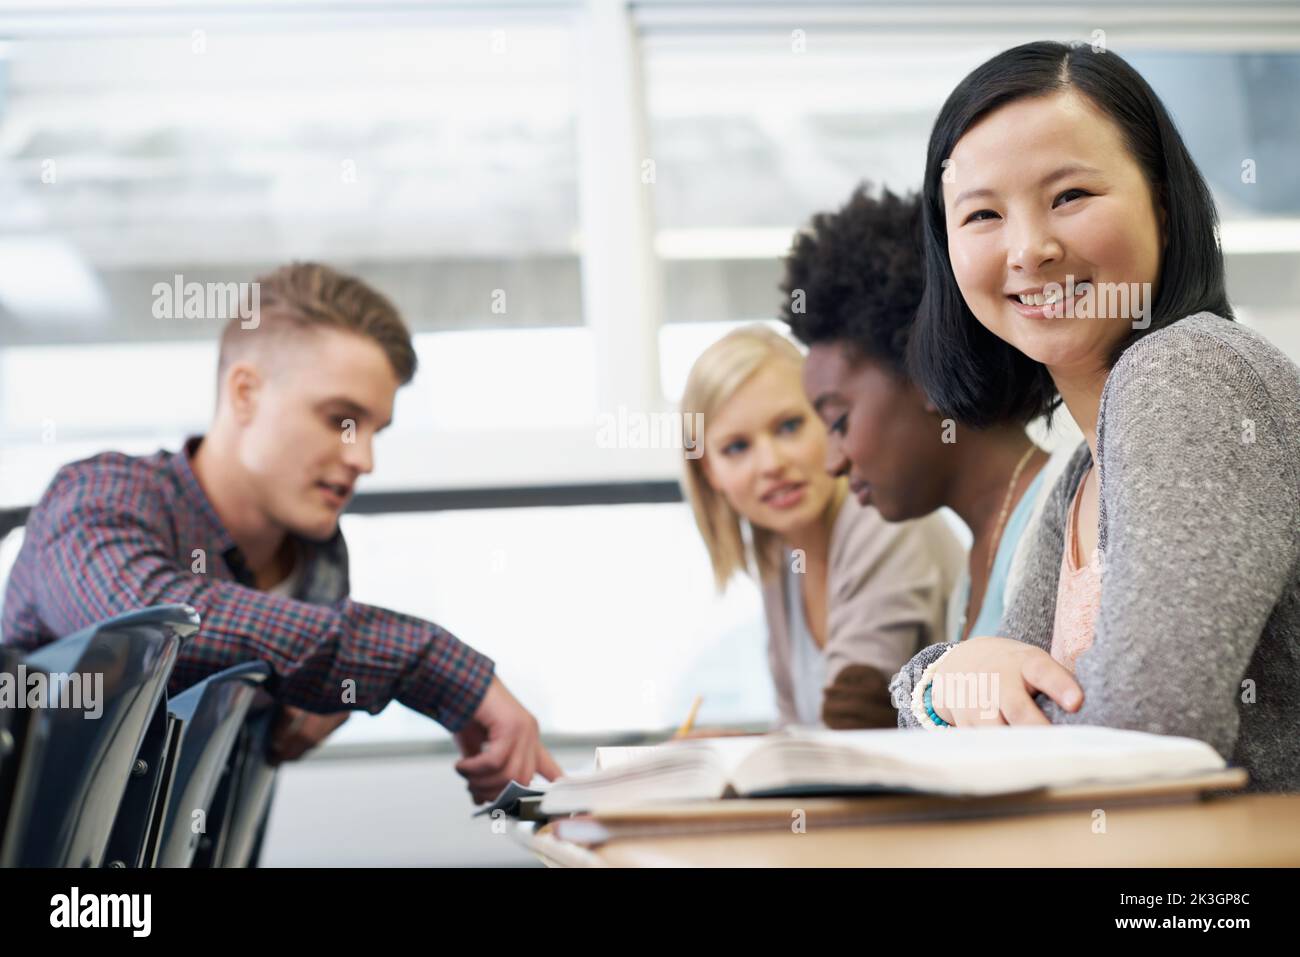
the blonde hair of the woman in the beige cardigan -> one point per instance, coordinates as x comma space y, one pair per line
718, 374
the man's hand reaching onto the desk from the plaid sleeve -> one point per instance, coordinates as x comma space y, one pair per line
501, 744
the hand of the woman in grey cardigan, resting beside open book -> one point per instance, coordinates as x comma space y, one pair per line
989, 682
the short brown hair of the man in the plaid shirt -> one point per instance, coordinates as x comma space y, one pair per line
302, 297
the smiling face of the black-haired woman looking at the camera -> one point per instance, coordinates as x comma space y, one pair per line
1045, 192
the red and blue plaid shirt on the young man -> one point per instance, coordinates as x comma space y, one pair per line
115, 534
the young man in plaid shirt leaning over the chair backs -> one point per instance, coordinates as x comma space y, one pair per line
242, 525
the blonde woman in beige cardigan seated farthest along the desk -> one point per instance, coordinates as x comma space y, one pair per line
848, 597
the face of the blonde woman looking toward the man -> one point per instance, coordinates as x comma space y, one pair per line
765, 451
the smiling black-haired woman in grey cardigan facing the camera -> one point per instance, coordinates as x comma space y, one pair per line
1072, 257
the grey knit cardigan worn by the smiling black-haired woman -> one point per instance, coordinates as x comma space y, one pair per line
1199, 629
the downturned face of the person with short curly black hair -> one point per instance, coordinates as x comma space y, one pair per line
882, 432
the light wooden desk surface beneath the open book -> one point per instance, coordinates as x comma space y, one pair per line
1241, 830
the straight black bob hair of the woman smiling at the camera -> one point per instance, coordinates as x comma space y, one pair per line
970, 374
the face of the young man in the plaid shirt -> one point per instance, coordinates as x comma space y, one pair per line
307, 422
